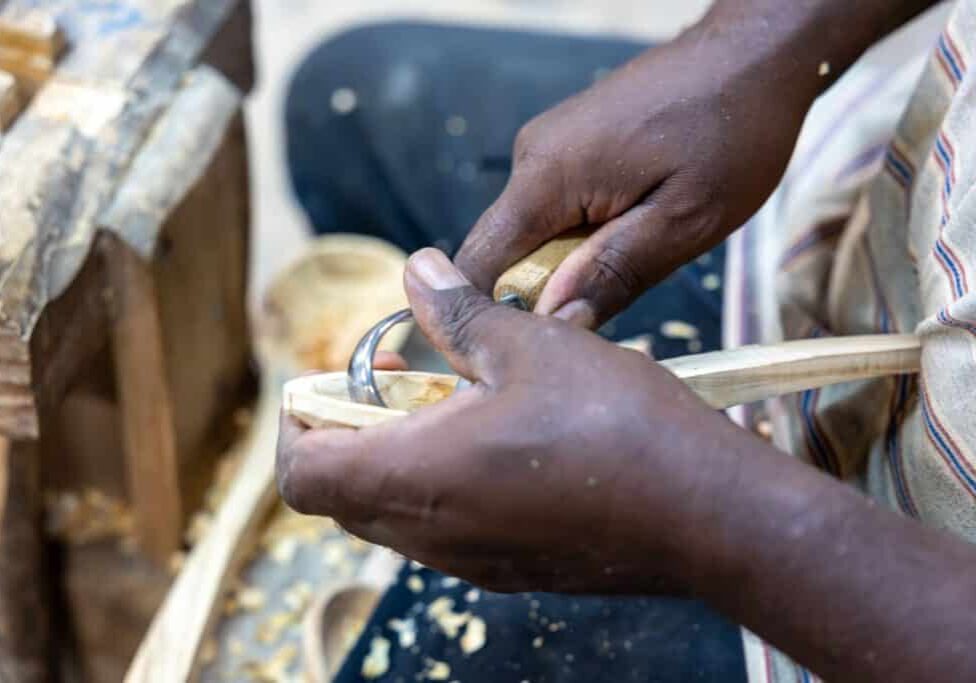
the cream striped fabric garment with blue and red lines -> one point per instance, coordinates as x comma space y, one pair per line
872, 230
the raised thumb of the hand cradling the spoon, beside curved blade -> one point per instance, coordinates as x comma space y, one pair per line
471, 330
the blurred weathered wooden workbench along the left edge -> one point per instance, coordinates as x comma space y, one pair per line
123, 251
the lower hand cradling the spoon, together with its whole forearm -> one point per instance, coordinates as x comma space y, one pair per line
574, 465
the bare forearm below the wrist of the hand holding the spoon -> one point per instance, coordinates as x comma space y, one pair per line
845, 587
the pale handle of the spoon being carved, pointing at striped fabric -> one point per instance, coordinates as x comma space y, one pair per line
752, 373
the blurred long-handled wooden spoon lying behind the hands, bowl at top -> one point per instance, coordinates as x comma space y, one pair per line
370, 274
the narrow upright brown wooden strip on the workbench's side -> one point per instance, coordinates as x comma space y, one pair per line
146, 407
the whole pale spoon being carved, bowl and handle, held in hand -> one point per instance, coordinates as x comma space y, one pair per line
722, 379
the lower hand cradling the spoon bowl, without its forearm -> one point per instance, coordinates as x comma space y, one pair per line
570, 465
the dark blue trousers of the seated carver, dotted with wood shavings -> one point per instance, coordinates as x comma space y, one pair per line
404, 131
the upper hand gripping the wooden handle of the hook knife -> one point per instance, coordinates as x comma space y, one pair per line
667, 155
